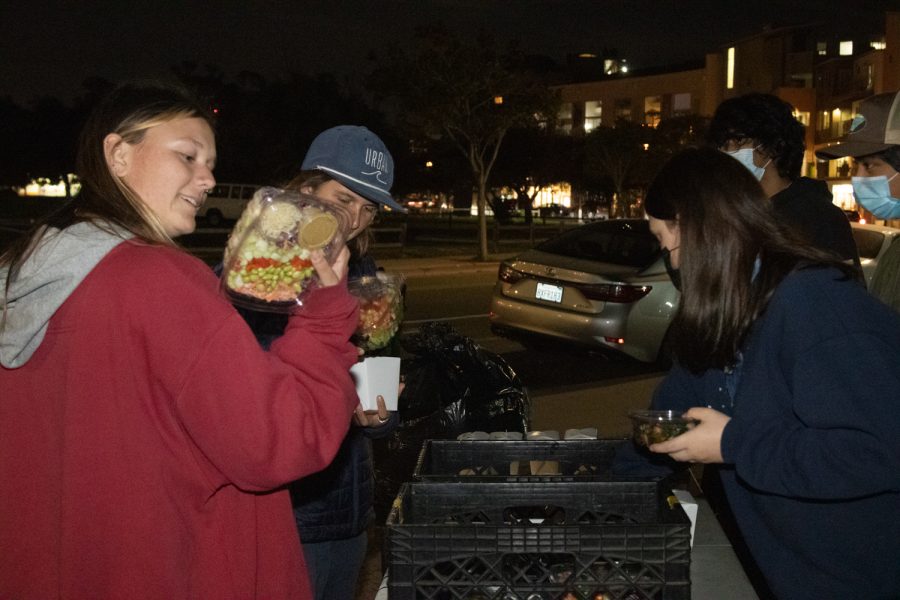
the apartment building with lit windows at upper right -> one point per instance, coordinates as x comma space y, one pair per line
823, 73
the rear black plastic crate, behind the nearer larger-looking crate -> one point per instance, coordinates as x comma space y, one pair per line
526, 461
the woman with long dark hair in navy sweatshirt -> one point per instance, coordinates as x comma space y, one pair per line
793, 371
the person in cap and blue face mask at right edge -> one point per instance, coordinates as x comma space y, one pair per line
874, 144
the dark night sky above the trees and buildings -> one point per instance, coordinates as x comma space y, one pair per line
50, 48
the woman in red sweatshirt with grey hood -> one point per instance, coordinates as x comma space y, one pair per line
144, 435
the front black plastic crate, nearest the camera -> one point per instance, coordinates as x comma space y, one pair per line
537, 541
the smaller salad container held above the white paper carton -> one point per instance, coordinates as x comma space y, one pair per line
380, 309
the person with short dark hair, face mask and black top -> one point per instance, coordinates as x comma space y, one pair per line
761, 132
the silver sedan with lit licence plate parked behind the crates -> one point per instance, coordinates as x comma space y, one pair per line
603, 285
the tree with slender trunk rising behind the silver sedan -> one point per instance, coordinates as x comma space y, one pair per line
469, 93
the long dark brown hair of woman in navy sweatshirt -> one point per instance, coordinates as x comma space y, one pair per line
726, 224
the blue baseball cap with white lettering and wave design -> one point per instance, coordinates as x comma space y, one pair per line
358, 159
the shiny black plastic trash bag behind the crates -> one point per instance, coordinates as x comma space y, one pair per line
452, 386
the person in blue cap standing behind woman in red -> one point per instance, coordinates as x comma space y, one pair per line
350, 167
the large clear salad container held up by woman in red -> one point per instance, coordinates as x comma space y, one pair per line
267, 263
